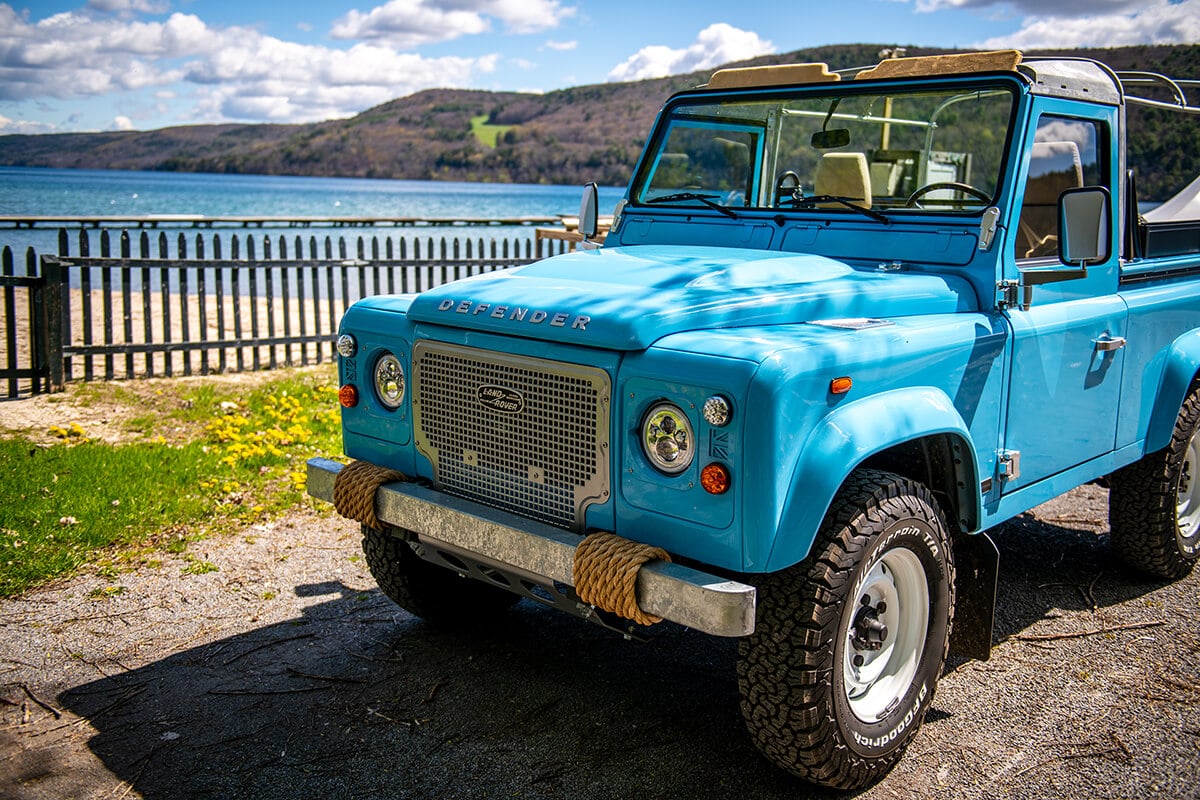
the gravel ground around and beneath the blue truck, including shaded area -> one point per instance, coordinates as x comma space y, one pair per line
287, 675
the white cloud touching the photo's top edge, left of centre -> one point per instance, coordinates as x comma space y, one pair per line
412, 23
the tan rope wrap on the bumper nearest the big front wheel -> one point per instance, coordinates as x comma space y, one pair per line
605, 575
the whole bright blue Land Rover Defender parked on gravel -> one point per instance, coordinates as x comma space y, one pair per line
842, 326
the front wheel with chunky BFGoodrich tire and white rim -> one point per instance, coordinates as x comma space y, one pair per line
794, 672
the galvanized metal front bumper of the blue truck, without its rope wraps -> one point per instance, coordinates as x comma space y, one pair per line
674, 592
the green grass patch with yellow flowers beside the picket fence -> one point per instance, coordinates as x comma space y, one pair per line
211, 456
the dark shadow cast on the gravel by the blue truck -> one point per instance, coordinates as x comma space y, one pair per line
357, 699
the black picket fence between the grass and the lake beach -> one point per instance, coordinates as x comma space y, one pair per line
141, 310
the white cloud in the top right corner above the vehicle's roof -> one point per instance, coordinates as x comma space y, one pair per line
1155, 22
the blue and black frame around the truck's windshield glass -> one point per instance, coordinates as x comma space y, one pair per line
758, 202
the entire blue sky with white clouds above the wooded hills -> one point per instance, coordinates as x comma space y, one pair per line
100, 65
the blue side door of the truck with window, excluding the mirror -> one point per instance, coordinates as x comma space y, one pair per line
1069, 346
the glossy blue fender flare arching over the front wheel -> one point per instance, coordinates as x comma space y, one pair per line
848, 437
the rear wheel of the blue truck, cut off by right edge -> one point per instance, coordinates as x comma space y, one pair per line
1155, 503
